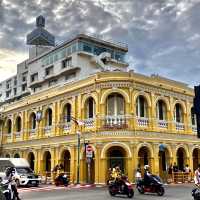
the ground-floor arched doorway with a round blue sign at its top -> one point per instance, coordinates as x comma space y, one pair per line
164, 161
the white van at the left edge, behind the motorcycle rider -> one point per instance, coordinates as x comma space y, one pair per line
23, 173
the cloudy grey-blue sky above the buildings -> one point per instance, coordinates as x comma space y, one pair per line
163, 35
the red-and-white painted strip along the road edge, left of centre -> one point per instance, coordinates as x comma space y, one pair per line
53, 187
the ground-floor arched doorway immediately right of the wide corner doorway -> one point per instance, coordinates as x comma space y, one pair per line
144, 157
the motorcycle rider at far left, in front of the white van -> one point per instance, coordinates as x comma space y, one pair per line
10, 171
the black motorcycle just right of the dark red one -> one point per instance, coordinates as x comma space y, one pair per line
155, 186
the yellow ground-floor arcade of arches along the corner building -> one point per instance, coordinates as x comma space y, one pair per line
107, 154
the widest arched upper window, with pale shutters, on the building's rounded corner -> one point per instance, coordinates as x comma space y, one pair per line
115, 105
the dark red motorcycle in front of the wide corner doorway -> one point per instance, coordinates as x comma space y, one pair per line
122, 186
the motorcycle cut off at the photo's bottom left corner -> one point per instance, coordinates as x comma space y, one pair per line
6, 191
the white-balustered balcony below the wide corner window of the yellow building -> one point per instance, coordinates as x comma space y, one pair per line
115, 122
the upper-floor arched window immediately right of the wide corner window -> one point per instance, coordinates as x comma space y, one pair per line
141, 106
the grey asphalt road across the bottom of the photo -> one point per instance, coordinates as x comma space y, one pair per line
173, 192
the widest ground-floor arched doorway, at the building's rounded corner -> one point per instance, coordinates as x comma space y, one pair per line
116, 156
